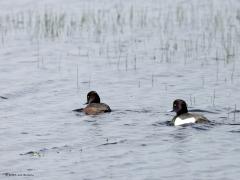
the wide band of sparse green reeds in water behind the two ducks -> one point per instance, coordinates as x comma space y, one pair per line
182, 29
